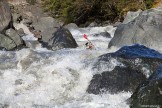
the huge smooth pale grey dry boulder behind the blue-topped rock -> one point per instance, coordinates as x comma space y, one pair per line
144, 29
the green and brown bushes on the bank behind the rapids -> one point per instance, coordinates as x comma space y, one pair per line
82, 11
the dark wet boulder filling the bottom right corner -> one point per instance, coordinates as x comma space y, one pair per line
149, 93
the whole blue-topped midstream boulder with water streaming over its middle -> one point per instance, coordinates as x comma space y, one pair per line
124, 70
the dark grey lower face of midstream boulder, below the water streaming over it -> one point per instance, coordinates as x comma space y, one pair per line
117, 80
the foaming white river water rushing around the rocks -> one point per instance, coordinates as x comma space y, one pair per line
39, 78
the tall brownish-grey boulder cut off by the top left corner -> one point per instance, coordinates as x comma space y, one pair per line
5, 15
